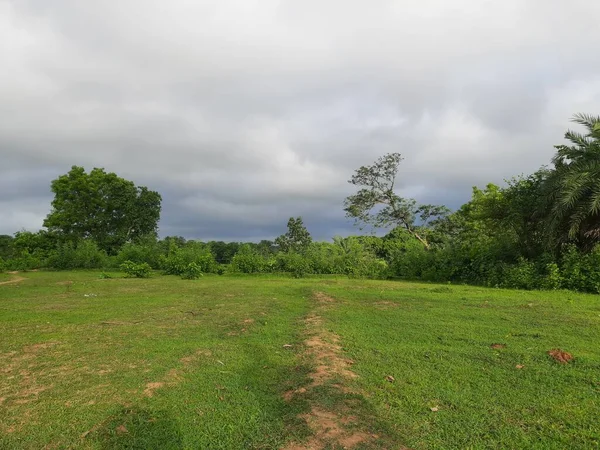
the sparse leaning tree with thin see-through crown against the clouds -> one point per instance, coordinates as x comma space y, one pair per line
376, 202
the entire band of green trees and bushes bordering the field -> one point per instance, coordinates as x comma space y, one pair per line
540, 231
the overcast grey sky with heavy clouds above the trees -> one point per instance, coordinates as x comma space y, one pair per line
242, 113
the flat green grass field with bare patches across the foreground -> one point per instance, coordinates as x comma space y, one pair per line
273, 362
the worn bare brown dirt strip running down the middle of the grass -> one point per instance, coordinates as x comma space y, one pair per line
331, 428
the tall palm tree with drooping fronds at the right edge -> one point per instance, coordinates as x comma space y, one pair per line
572, 189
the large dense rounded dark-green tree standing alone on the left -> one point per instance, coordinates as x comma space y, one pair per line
102, 206
